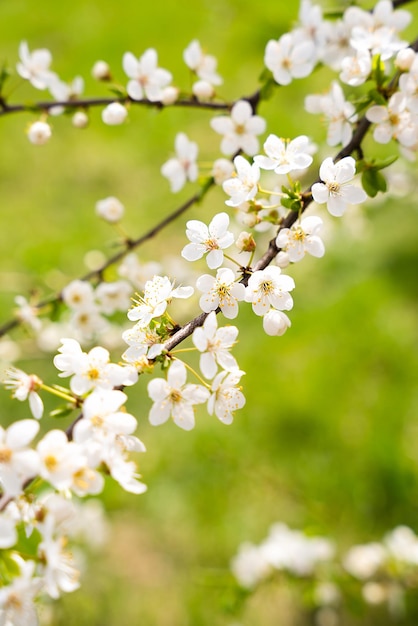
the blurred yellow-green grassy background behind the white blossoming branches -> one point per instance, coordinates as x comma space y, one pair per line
328, 439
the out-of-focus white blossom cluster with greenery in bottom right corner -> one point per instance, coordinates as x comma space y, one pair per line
379, 572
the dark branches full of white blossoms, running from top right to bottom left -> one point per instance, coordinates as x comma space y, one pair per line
365, 49
